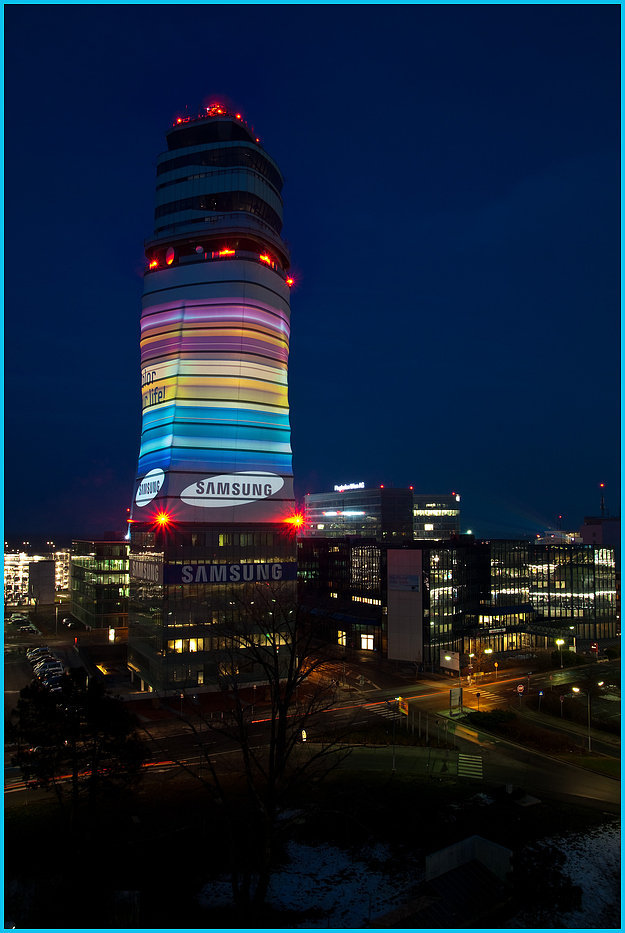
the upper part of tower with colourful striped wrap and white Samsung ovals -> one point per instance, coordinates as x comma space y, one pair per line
215, 326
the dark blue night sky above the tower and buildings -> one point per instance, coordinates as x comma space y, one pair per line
452, 206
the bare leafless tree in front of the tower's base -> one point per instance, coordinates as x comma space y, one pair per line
267, 642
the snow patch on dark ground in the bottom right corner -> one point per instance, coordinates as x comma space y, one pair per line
593, 861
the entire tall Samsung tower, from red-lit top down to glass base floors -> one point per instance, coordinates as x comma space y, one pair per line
213, 506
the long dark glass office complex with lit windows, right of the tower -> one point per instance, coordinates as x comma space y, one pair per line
408, 603
